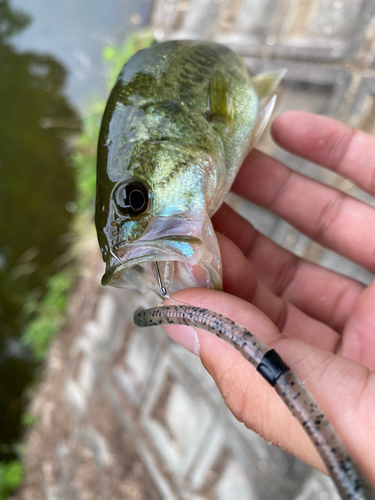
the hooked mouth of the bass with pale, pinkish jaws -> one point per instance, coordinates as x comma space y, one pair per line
183, 262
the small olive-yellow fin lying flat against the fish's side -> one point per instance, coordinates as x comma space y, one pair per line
220, 101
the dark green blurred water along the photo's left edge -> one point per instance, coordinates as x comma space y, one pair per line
36, 183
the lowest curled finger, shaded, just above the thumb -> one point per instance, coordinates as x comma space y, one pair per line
240, 280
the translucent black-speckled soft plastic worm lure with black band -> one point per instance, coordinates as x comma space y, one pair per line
349, 480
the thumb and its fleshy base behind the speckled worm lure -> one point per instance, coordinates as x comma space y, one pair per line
335, 382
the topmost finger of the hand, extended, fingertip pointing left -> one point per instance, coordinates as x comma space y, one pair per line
330, 143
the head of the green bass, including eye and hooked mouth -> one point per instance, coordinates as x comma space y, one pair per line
155, 208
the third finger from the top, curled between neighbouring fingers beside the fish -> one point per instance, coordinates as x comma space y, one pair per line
322, 294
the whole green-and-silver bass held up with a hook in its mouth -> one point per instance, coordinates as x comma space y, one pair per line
178, 123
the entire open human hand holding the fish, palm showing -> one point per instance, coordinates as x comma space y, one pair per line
322, 324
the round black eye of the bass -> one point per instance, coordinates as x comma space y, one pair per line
132, 198
